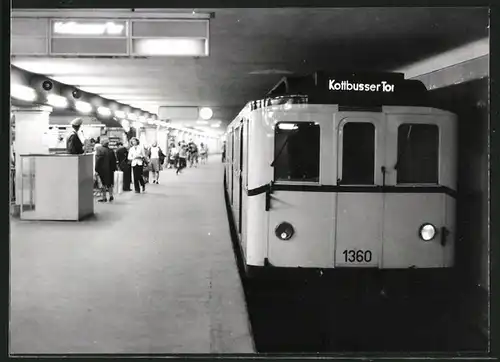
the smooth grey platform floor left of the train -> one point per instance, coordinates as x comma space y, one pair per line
150, 273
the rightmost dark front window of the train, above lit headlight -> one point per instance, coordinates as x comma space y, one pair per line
418, 154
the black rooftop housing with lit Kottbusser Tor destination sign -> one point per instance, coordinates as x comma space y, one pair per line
360, 89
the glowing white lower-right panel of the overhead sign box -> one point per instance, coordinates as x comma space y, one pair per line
170, 46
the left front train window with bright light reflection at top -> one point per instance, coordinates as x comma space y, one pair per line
296, 152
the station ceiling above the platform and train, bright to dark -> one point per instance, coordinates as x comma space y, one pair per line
251, 49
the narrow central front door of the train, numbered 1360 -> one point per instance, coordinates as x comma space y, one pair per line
359, 209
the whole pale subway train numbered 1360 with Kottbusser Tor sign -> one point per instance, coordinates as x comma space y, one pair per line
343, 171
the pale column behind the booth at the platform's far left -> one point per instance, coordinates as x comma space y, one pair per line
31, 127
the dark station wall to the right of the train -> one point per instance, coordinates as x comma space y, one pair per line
469, 101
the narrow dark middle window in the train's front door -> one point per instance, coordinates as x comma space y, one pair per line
358, 154
